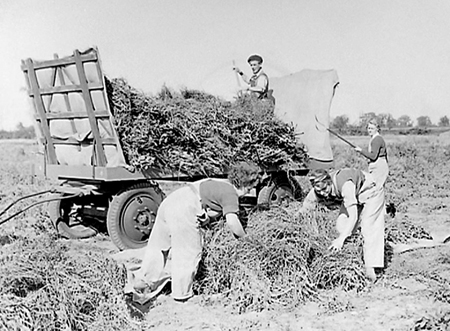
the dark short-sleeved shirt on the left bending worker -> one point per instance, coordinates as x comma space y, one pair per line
219, 196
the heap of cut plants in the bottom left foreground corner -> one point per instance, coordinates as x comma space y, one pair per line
44, 285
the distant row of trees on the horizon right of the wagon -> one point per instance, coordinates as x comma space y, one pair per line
386, 121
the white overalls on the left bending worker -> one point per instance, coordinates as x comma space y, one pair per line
175, 245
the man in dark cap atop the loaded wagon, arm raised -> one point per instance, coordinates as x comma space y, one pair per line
258, 83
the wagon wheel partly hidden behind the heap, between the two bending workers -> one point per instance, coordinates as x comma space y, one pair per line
280, 189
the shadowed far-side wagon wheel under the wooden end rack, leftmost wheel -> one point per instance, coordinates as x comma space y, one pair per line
68, 220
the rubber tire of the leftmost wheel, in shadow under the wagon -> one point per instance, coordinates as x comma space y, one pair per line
55, 211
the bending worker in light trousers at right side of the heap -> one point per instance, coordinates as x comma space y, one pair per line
361, 197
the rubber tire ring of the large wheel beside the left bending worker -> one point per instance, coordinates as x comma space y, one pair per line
114, 220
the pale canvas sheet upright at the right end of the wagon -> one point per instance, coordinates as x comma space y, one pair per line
299, 98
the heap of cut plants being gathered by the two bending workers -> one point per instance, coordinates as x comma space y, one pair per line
283, 260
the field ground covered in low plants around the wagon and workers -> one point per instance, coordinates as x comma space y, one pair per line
42, 275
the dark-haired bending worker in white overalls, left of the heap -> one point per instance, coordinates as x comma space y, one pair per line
175, 245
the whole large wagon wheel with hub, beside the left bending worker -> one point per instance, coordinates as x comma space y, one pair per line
132, 213
